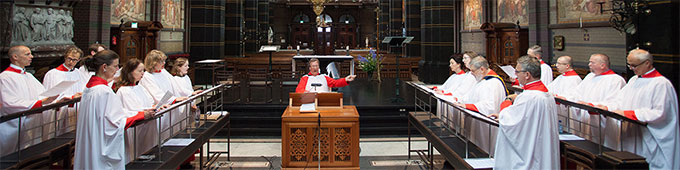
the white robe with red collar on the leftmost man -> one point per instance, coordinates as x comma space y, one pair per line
19, 91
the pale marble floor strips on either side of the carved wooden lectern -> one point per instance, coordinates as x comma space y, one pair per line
376, 153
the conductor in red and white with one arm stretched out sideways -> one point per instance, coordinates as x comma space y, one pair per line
316, 82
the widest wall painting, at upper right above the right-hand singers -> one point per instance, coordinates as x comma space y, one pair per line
576, 11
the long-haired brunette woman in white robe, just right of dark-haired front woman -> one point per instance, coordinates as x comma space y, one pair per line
134, 99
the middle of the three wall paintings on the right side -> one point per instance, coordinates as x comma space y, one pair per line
512, 11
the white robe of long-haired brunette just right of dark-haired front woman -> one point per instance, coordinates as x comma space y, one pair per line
135, 99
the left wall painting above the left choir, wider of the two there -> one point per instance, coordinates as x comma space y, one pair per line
127, 10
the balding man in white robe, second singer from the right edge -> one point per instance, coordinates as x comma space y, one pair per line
601, 84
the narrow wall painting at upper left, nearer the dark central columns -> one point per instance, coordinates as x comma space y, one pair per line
172, 12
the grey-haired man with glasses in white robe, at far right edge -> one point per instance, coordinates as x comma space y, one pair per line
649, 97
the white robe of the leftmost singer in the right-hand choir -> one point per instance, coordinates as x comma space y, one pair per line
455, 86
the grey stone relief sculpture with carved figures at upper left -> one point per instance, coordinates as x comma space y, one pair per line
42, 26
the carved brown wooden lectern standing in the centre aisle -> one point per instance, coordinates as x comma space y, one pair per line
339, 134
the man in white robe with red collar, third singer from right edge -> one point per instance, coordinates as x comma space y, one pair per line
563, 84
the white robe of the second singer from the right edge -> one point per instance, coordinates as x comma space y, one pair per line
593, 89
